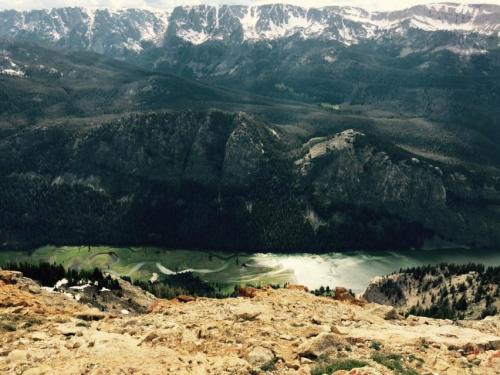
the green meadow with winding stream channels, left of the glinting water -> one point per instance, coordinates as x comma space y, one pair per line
141, 262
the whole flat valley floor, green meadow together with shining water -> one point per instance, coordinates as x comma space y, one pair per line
353, 270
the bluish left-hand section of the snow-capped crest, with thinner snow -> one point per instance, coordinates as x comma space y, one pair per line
98, 30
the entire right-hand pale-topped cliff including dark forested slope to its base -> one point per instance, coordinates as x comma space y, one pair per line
353, 171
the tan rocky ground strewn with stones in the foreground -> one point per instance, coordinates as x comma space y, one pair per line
285, 331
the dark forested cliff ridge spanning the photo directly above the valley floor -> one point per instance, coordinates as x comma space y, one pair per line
163, 177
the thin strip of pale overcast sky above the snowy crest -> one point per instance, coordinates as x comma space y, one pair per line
166, 4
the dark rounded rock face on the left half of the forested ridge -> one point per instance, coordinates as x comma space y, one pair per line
186, 146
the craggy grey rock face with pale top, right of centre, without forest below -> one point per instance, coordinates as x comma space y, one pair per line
351, 167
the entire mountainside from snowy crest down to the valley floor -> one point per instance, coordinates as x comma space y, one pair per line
271, 127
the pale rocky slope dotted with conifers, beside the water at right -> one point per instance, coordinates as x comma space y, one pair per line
445, 291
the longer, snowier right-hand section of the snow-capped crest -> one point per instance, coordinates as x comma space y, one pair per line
345, 24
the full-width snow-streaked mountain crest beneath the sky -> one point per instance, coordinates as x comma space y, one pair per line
133, 30
